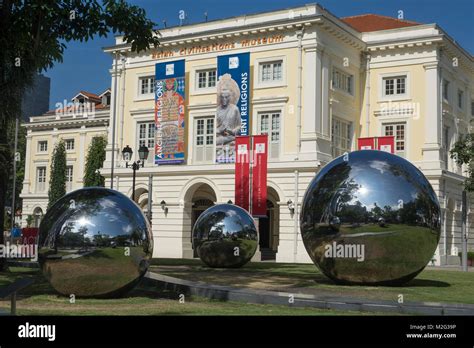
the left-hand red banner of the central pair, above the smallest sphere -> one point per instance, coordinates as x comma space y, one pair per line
242, 172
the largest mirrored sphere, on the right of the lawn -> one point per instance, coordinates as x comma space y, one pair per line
370, 217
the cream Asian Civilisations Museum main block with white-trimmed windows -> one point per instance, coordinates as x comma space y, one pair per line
316, 84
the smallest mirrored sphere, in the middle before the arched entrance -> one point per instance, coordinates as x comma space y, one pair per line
225, 236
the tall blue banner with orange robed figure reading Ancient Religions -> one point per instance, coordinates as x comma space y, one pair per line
169, 112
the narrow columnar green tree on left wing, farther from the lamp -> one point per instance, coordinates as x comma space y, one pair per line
57, 180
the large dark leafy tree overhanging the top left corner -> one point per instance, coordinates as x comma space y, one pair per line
33, 37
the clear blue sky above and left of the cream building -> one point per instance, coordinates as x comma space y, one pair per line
86, 67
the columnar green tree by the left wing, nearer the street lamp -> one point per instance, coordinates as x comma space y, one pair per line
94, 161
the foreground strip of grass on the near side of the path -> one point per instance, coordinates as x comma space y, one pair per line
40, 299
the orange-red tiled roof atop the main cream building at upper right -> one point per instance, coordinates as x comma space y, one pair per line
373, 22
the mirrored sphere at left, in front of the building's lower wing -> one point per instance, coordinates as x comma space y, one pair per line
94, 242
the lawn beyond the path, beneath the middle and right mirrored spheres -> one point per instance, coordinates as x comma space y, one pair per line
428, 286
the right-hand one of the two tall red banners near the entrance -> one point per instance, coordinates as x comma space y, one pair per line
259, 175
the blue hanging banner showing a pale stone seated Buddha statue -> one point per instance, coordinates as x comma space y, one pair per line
233, 103
